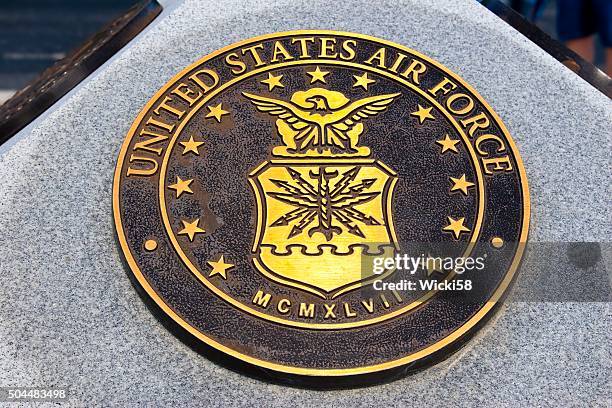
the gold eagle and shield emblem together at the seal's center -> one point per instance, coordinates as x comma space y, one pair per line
325, 211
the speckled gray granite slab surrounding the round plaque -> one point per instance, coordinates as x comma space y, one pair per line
70, 317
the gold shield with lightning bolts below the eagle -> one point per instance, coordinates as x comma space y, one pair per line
320, 223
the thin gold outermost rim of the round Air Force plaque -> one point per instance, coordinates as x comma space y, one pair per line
427, 351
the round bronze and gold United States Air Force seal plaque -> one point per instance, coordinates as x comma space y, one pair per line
321, 203
